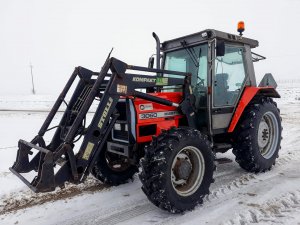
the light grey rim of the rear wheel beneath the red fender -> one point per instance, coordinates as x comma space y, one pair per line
268, 135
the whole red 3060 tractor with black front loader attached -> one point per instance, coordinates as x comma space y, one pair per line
170, 122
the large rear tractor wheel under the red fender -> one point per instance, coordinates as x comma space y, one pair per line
258, 136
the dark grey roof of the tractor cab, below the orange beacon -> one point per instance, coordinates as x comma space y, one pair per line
206, 35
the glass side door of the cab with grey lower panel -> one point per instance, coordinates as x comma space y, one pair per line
228, 79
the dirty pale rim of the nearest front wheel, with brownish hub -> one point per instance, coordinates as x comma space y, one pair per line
187, 171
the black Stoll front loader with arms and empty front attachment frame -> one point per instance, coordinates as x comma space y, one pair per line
108, 88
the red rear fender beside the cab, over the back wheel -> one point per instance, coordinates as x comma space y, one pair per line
246, 98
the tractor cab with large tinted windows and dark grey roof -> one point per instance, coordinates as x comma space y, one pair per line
221, 66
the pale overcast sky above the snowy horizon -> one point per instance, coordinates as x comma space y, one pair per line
55, 36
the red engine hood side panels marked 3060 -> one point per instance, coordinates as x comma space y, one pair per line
163, 123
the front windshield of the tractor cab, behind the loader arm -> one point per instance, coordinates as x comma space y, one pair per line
189, 59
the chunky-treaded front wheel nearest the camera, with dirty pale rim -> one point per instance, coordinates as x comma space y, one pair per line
177, 169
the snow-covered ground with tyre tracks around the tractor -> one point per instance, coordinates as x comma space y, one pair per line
237, 197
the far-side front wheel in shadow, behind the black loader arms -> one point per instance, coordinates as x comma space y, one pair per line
113, 169
